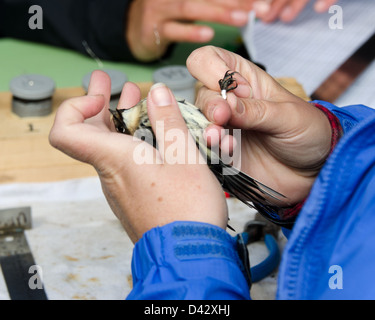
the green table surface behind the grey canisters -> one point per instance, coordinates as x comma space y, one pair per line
67, 67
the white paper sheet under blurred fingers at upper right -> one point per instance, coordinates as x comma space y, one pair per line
309, 50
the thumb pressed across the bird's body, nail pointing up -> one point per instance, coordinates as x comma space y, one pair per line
175, 143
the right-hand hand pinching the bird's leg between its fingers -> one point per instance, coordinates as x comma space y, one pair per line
284, 140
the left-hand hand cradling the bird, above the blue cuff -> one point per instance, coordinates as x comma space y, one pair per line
146, 195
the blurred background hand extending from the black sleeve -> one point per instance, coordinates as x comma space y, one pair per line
154, 24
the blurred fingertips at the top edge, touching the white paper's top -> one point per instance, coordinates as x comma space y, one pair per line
286, 10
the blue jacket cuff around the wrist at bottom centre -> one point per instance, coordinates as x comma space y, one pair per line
187, 260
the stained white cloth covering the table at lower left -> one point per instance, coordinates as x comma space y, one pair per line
82, 248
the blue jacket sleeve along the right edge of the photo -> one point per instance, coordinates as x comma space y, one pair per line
329, 254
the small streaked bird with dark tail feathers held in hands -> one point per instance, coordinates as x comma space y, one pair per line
235, 182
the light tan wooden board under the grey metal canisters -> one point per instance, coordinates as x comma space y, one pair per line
25, 153
